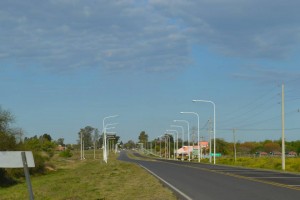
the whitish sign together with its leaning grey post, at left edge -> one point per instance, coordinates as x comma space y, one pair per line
18, 159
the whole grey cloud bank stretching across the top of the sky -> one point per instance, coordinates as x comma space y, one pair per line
154, 35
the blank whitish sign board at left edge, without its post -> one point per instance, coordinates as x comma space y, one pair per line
13, 159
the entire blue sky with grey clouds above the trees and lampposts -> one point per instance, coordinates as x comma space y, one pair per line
67, 64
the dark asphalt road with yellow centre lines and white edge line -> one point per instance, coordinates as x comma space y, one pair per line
215, 182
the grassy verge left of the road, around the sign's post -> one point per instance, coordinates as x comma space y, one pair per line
91, 179
